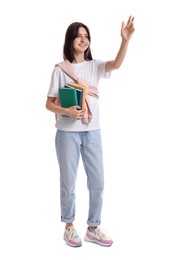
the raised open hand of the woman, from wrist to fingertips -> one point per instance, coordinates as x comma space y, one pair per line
128, 30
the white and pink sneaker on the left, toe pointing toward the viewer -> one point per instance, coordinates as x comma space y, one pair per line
71, 237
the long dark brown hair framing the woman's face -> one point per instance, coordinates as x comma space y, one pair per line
71, 34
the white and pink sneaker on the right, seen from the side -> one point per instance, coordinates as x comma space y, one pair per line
98, 236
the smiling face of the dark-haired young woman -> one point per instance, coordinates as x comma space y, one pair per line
81, 42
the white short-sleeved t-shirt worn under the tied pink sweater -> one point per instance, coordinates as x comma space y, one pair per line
91, 71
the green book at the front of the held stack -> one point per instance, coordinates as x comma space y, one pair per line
68, 97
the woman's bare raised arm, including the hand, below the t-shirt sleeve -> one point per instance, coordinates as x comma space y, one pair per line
126, 34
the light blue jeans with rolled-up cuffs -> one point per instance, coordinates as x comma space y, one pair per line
69, 147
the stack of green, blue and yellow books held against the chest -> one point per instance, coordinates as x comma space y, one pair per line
72, 94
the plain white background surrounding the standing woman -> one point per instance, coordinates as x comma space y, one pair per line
137, 118
